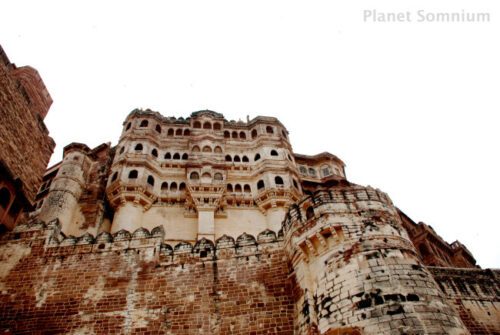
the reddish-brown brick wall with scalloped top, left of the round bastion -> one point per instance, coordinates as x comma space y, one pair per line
137, 285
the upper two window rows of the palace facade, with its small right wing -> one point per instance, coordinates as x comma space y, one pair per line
207, 138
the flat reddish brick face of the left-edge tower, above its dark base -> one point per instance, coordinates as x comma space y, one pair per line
25, 146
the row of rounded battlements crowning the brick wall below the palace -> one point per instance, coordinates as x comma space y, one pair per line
57, 243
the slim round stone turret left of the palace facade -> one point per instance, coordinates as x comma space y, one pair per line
65, 191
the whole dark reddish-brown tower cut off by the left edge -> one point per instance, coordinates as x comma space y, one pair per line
25, 145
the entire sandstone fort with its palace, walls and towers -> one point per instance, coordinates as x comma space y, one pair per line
202, 225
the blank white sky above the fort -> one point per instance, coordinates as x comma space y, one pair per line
411, 108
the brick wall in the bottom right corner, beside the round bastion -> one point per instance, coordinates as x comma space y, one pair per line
475, 293
